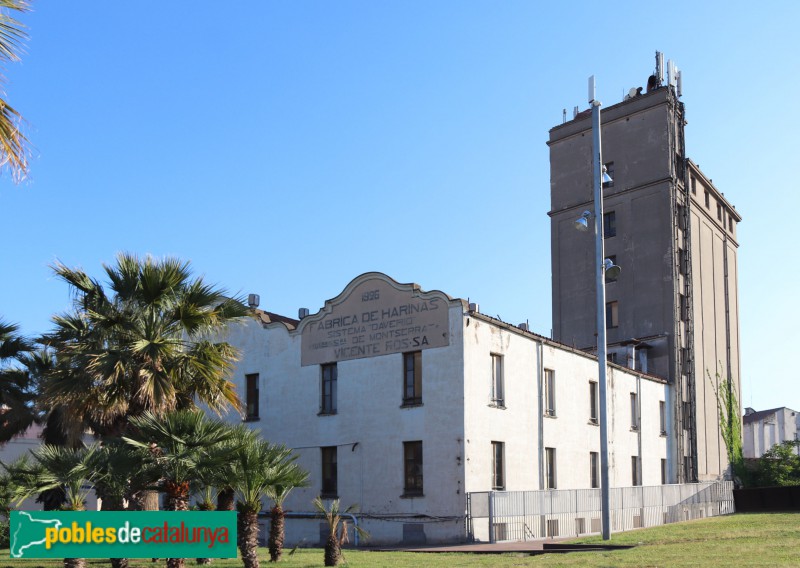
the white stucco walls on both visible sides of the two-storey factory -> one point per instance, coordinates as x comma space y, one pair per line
456, 422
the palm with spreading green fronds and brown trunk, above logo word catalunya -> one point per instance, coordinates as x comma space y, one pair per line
179, 444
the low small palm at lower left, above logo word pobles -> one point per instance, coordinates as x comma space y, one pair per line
67, 468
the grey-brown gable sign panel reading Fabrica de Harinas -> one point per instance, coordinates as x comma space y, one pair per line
375, 319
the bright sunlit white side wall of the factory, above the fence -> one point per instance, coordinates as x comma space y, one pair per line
526, 431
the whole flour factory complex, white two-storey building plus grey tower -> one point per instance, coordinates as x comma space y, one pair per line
406, 401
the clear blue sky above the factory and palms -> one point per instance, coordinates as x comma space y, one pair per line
287, 147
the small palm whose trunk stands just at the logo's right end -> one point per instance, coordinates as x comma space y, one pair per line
260, 468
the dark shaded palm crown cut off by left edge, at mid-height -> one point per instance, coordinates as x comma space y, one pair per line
17, 394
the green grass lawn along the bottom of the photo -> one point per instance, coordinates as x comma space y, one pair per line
729, 541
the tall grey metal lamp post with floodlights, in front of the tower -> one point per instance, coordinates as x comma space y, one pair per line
603, 267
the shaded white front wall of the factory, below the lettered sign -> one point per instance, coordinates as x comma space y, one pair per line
369, 428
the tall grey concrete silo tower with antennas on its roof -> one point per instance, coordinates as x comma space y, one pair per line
673, 312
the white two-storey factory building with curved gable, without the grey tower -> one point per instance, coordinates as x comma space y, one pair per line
403, 401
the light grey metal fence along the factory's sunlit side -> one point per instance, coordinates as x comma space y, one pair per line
495, 516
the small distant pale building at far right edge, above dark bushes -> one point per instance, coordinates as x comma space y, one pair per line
764, 428
